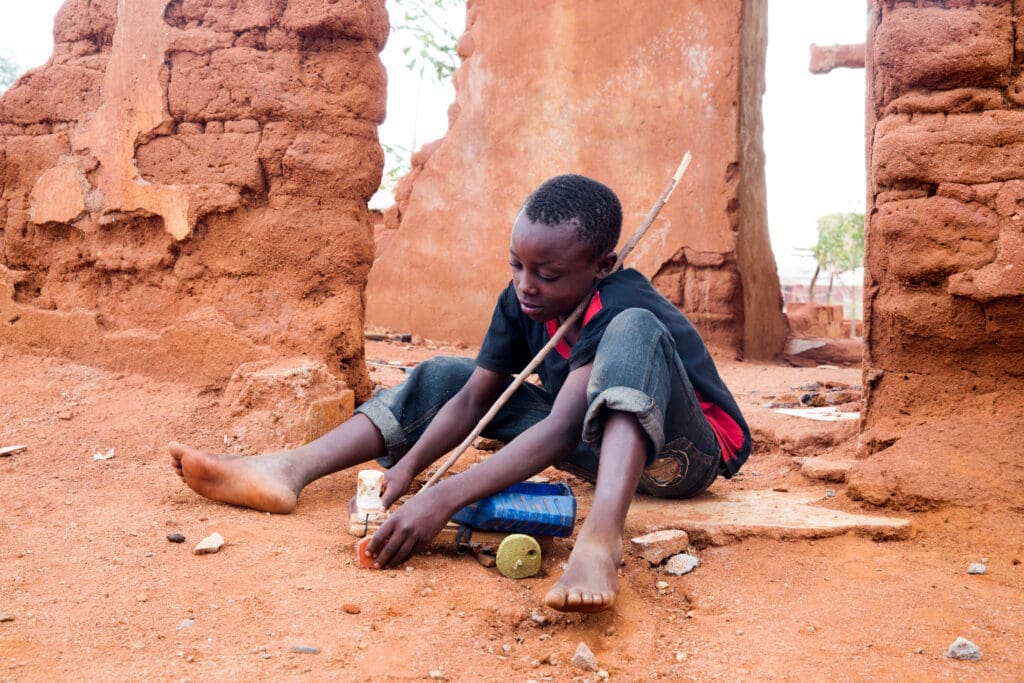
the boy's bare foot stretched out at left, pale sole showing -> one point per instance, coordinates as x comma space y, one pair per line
262, 483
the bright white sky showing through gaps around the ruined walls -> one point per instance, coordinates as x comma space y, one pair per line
815, 125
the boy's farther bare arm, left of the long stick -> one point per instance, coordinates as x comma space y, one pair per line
453, 422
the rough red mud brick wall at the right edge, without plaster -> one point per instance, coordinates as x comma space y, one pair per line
945, 295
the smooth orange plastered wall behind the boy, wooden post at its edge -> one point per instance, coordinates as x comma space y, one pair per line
617, 92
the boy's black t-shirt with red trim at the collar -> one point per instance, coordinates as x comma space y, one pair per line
514, 340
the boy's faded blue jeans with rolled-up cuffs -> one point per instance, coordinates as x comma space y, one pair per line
636, 370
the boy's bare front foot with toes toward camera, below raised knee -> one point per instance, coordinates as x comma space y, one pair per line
590, 582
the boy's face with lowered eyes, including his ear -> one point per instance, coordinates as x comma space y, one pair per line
552, 269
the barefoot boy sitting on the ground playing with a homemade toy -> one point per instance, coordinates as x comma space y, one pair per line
631, 400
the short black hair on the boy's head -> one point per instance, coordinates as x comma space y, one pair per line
586, 204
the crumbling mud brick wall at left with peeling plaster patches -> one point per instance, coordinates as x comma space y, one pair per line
184, 187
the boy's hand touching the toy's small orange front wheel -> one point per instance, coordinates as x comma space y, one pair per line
410, 529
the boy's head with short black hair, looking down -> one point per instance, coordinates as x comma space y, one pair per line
564, 241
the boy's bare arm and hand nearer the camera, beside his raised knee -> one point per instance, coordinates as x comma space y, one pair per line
415, 525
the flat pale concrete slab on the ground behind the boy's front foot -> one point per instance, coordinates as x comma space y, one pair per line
718, 520
